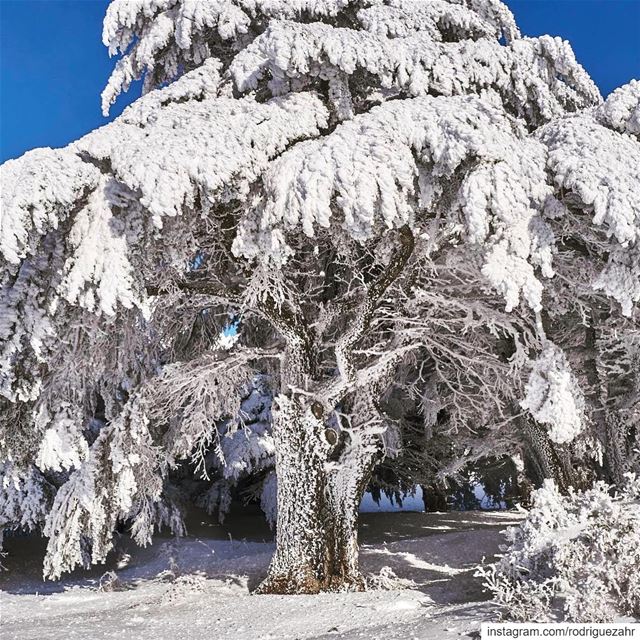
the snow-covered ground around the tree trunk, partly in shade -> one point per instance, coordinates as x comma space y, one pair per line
198, 586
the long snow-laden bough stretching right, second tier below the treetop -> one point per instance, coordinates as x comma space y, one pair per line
536, 79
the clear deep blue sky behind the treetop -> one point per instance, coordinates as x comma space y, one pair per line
54, 66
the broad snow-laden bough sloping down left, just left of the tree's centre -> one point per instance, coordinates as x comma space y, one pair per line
214, 148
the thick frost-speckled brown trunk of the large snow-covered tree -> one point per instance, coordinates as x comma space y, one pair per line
318, 500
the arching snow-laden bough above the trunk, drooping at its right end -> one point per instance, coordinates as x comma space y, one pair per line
367, 168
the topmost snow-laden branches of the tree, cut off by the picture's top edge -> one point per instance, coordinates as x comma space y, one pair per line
158, 38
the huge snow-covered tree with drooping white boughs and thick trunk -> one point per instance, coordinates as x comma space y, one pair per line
346, 200
